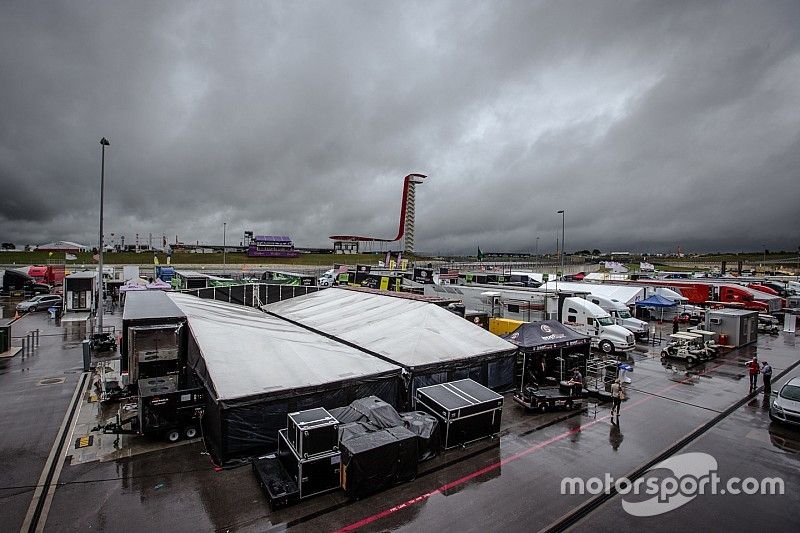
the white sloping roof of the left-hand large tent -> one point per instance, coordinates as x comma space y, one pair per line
247, 352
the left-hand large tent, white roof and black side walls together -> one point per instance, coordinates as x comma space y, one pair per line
257, 368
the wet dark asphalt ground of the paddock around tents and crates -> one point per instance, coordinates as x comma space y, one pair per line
509, 484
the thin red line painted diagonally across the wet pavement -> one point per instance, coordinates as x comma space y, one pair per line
494, 466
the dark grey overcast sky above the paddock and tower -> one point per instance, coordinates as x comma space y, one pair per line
654, 124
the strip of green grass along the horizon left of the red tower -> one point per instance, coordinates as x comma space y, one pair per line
132, 258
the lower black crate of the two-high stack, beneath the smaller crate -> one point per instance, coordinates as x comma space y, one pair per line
313, 475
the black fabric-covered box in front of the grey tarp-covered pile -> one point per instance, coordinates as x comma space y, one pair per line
378, 459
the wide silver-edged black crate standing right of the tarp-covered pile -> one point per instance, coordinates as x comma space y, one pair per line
467, 410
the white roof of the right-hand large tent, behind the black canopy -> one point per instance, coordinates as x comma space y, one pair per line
410, 333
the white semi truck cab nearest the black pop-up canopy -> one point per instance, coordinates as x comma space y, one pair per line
590, 319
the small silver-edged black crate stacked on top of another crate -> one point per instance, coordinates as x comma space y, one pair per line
312, 432
